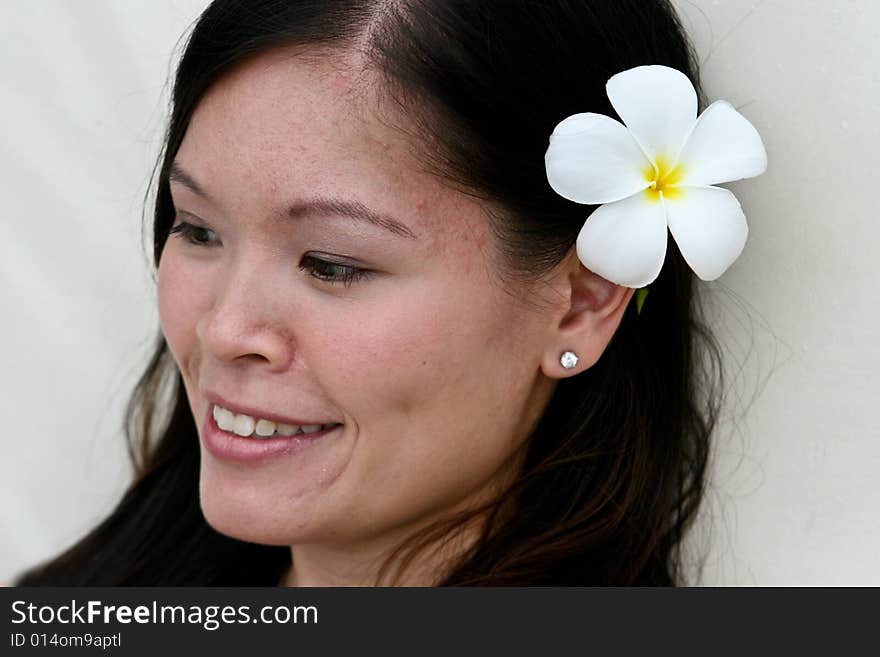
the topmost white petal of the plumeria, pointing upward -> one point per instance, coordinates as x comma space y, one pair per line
659, 106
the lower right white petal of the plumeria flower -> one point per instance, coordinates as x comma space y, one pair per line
709, 227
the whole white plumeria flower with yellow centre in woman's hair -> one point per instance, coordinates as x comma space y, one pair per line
657, 171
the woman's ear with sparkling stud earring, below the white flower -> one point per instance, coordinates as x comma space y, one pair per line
591, 311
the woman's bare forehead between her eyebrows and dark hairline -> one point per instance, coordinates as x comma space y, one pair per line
290, 124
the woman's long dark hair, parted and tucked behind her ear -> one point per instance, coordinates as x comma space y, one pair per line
614, 472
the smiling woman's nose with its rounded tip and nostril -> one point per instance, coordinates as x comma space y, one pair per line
244, 324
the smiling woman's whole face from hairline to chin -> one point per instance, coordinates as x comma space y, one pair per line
331, 281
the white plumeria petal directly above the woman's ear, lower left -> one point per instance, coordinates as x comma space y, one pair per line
625, 242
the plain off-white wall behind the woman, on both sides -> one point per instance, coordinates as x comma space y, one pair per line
795, 491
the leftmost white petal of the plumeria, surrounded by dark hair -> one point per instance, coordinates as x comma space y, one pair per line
593, 159
